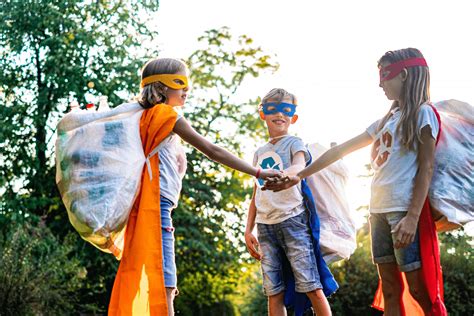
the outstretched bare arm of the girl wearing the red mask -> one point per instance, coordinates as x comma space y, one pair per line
330, 156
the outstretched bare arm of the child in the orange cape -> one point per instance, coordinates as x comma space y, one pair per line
216, 153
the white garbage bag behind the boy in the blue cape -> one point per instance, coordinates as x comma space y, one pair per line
338, 232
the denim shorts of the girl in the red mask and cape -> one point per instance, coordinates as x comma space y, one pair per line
381, 226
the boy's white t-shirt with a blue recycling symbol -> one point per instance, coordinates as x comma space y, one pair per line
275, 207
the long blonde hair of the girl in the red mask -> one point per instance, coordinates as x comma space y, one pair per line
415, 92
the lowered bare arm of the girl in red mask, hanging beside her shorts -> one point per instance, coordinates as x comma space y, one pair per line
406, 229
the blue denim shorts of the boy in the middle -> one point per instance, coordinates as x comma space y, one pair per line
290, 238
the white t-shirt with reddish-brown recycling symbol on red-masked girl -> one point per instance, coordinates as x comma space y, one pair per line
395, 167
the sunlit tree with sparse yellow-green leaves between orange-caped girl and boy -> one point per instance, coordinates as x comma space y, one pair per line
209, 220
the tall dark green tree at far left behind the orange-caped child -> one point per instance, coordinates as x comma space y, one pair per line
52, 52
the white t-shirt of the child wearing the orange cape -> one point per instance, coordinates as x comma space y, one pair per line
172, 166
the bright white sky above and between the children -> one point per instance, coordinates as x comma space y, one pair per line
328, 52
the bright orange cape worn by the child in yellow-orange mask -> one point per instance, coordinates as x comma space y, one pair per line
139, 284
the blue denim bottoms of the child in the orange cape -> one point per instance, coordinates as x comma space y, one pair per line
167, 238
